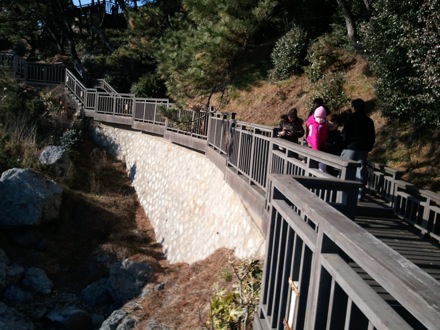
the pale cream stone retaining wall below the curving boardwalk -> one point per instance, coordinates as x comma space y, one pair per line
193, 211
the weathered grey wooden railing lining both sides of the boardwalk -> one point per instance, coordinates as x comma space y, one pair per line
313, 247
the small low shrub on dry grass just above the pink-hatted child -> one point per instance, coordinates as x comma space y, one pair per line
331, 88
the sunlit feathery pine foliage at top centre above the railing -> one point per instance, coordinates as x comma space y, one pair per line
198, 56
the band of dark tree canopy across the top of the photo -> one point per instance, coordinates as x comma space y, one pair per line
197, 48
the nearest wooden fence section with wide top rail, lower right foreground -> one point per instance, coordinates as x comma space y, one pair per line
312, 278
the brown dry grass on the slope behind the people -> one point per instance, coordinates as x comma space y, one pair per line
413, 152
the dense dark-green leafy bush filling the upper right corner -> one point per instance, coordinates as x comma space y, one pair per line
401, 43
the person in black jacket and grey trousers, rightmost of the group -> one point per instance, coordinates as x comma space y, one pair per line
358, 136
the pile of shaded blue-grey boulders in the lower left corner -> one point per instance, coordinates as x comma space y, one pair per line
29, 296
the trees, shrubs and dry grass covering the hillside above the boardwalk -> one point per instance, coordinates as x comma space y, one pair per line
256, 58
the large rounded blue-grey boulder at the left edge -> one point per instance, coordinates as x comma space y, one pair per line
28, 198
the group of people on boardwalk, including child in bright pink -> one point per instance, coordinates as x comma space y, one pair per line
321, 130
